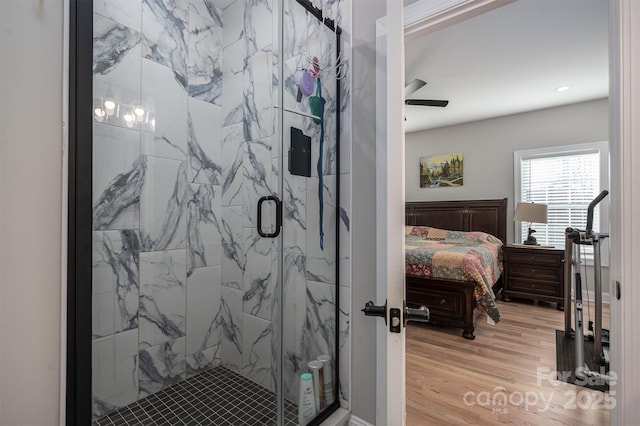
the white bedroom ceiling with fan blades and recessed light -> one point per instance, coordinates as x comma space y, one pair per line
510, 60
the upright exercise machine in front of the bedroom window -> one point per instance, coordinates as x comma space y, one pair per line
575, 239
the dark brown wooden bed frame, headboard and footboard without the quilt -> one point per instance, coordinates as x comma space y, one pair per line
452, 302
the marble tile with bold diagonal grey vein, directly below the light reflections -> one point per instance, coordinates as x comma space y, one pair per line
118, 175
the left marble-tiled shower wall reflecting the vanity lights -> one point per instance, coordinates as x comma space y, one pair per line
158, 188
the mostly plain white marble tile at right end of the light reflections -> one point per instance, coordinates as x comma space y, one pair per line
165, 113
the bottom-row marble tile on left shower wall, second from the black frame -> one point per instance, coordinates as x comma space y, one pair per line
161, 366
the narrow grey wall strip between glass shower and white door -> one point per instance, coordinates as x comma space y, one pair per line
363, 329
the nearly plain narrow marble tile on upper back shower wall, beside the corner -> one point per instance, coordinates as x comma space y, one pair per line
232, 83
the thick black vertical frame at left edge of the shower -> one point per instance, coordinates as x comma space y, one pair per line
79, 211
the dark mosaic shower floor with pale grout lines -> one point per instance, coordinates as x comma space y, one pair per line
216, 397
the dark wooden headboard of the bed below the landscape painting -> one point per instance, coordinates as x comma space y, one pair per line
488, 216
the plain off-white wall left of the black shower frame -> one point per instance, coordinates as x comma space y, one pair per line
30, 210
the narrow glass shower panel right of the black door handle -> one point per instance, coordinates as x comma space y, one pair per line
309, 189
